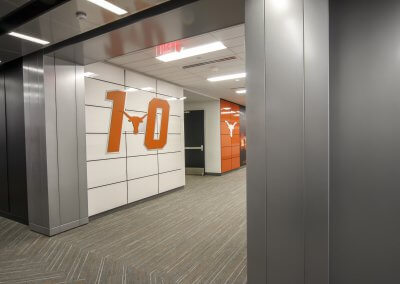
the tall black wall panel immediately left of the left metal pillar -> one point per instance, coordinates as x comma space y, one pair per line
16, 140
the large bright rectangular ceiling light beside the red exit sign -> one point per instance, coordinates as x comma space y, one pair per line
189, 52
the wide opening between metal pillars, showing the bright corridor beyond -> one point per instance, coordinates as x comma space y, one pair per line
187, 198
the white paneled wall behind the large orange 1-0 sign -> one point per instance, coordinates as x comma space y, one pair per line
116, 179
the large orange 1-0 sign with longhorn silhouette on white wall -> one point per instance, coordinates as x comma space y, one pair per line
118, 112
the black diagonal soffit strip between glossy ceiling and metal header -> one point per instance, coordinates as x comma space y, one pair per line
150, 12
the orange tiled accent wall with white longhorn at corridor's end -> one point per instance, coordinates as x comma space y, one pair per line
230, 146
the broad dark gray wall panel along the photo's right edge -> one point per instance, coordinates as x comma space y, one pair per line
365, 141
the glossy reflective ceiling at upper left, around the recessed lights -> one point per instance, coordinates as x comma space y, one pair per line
63, 22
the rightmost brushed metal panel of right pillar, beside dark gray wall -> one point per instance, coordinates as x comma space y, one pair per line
316, 140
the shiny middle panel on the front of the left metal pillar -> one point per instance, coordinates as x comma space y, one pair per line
68, 173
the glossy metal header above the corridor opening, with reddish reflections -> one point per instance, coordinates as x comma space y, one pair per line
183, 22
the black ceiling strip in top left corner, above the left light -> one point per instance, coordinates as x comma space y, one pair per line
27, 12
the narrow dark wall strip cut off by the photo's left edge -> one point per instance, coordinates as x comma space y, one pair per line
4, 206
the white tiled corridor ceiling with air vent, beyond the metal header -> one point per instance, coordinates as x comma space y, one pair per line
195, 78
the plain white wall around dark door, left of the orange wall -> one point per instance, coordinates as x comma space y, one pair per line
212, 133
